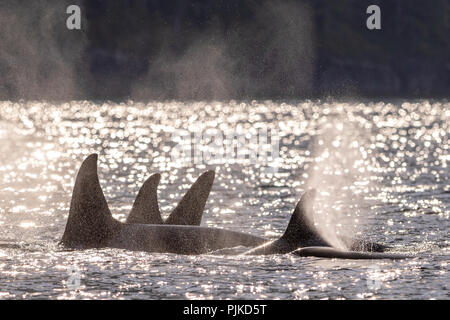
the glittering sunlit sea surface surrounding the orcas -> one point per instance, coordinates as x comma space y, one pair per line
381, 169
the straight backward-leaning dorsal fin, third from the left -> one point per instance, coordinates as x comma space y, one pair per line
189, 210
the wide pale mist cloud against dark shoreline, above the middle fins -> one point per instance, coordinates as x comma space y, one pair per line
221, 63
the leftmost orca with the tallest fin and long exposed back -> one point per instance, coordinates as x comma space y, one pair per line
91, 225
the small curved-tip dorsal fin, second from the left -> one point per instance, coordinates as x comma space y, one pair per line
145, 208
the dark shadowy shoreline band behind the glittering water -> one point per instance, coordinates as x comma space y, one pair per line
156, 49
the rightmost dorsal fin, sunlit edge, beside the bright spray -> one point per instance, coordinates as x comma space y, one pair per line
300, 229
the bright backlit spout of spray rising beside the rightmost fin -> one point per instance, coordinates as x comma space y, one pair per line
341, 170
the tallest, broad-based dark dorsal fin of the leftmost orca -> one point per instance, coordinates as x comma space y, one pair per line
90, 223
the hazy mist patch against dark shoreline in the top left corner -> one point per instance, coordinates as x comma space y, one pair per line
39, 57
